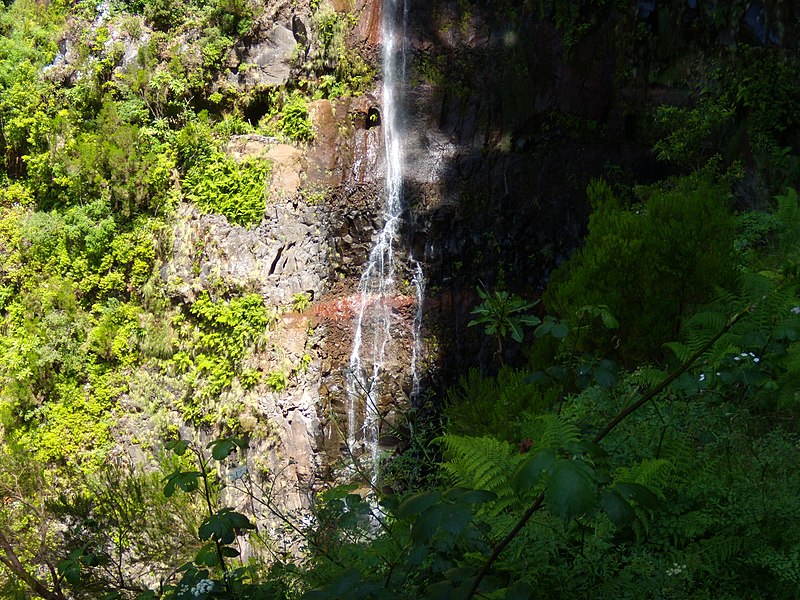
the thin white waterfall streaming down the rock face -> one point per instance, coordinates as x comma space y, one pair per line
377, 285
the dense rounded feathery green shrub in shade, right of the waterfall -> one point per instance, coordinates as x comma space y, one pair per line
650, 264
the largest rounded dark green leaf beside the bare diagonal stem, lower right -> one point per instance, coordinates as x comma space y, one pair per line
571, 491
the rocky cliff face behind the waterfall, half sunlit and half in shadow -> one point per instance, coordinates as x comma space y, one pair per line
506, 119
